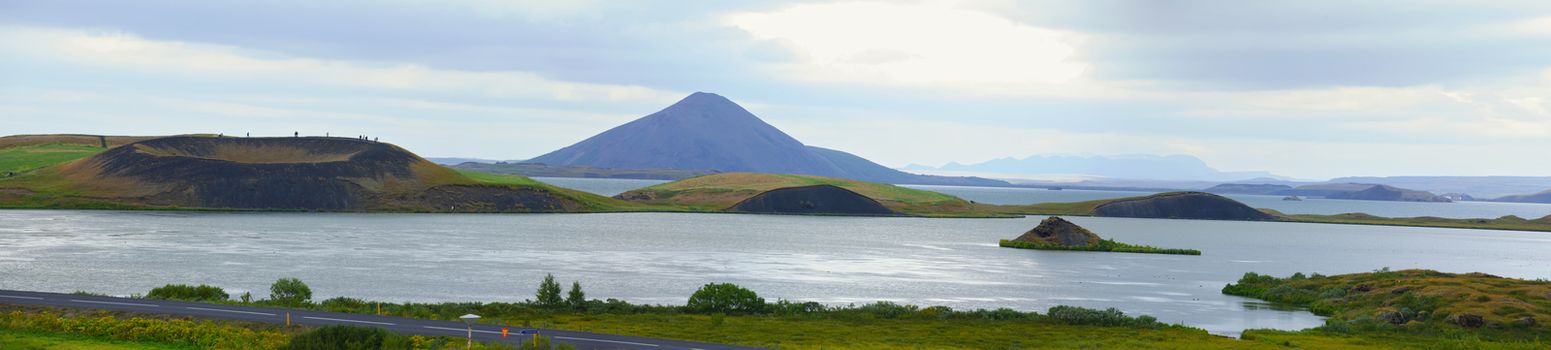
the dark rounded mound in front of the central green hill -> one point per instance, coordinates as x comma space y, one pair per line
820, 199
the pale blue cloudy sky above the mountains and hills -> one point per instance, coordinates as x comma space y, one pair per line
1301, 89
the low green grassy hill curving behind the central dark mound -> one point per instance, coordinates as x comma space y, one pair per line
722, 191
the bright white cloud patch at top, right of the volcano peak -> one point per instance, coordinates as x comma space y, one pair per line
930, 44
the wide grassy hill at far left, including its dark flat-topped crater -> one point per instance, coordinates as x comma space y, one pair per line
274, 174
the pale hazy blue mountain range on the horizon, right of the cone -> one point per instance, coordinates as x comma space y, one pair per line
1173, 168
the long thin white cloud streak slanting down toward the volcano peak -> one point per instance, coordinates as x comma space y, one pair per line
126, 52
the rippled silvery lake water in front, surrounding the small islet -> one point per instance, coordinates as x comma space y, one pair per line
663, 258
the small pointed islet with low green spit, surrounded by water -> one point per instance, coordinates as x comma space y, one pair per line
1059, 235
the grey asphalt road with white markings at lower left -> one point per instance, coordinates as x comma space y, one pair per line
482, 332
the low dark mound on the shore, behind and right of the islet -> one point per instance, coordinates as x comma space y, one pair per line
1181, 205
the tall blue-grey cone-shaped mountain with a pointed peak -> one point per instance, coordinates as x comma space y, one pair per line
708, 132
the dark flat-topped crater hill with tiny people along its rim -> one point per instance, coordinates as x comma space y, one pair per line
314, 174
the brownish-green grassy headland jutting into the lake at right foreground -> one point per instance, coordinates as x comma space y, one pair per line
1415, 304
